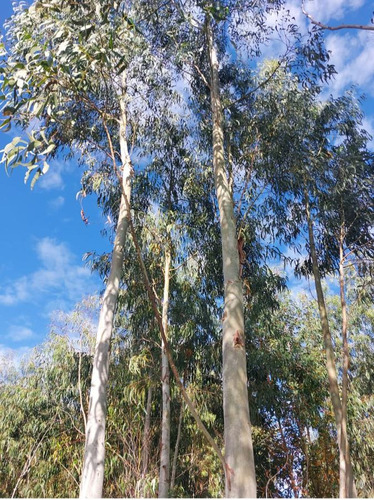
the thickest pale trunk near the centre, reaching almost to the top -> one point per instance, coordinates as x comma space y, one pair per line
240, 473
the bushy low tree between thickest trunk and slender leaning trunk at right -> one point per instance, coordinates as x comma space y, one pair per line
289, 392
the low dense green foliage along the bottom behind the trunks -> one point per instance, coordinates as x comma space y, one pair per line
42, 426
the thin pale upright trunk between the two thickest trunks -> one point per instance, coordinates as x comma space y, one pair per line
164, 478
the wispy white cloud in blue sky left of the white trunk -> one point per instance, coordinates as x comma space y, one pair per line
59, 279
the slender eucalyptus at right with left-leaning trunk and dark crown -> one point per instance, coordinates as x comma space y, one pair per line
308, 144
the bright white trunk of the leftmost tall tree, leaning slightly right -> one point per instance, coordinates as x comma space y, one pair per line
94, 454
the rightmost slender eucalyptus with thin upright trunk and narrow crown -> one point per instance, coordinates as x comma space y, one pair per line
346, 216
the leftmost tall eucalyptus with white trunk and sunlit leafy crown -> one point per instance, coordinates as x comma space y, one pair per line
54, 55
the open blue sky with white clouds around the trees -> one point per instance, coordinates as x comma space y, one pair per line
43, 236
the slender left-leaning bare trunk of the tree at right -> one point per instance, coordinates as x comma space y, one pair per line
344, 465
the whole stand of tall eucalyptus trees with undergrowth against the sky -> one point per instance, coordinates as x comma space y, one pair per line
225, 170
